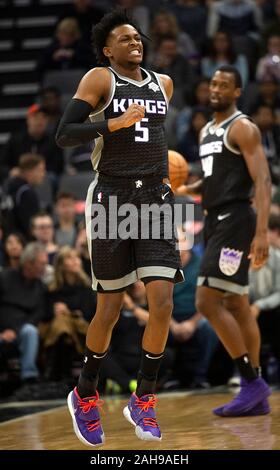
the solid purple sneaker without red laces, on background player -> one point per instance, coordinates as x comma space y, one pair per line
250, 395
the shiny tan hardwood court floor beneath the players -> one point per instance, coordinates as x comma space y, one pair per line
186, 422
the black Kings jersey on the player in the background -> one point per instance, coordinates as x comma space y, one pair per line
226, 177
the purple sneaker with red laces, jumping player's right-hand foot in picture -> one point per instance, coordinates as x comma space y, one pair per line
140, 412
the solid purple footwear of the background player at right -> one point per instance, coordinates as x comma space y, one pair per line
250, 401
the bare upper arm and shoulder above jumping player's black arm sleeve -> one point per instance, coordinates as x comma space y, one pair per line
94, 86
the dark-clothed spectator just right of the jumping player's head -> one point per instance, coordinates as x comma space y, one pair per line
169, 61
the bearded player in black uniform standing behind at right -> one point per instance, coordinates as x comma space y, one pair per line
233, 161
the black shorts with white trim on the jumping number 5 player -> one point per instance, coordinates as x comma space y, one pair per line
122, 246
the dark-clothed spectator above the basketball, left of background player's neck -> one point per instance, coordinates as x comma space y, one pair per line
188, 145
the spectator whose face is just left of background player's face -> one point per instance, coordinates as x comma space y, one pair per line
198, 97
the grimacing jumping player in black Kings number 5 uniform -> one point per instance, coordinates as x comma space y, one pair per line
127, 106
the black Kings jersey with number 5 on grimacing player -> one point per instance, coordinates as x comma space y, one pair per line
140, 150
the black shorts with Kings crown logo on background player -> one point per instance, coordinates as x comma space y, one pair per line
228, 234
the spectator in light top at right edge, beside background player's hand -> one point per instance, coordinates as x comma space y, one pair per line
265, 292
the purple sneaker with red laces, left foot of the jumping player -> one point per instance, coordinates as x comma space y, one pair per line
86, 419
